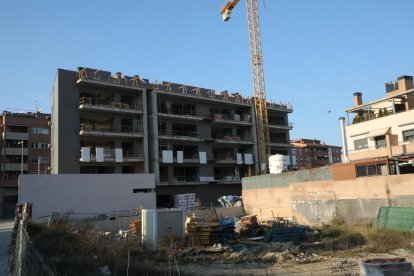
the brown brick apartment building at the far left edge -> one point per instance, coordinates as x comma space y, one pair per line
24, 146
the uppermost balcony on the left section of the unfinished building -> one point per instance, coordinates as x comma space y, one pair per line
89, 104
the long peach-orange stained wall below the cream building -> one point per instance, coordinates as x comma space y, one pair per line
317, 202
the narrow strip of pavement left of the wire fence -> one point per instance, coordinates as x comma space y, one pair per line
6, 229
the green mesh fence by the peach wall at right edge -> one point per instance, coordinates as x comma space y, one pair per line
395, 218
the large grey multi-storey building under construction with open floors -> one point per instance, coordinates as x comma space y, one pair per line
193, 139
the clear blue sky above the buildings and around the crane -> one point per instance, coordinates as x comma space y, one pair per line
316, 53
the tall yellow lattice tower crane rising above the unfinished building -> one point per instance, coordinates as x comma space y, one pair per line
260, 107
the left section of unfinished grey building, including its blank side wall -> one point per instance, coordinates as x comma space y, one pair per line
98, 123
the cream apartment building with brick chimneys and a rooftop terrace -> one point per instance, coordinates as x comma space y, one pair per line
380, 134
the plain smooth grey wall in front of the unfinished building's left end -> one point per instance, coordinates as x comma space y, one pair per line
86, 193
